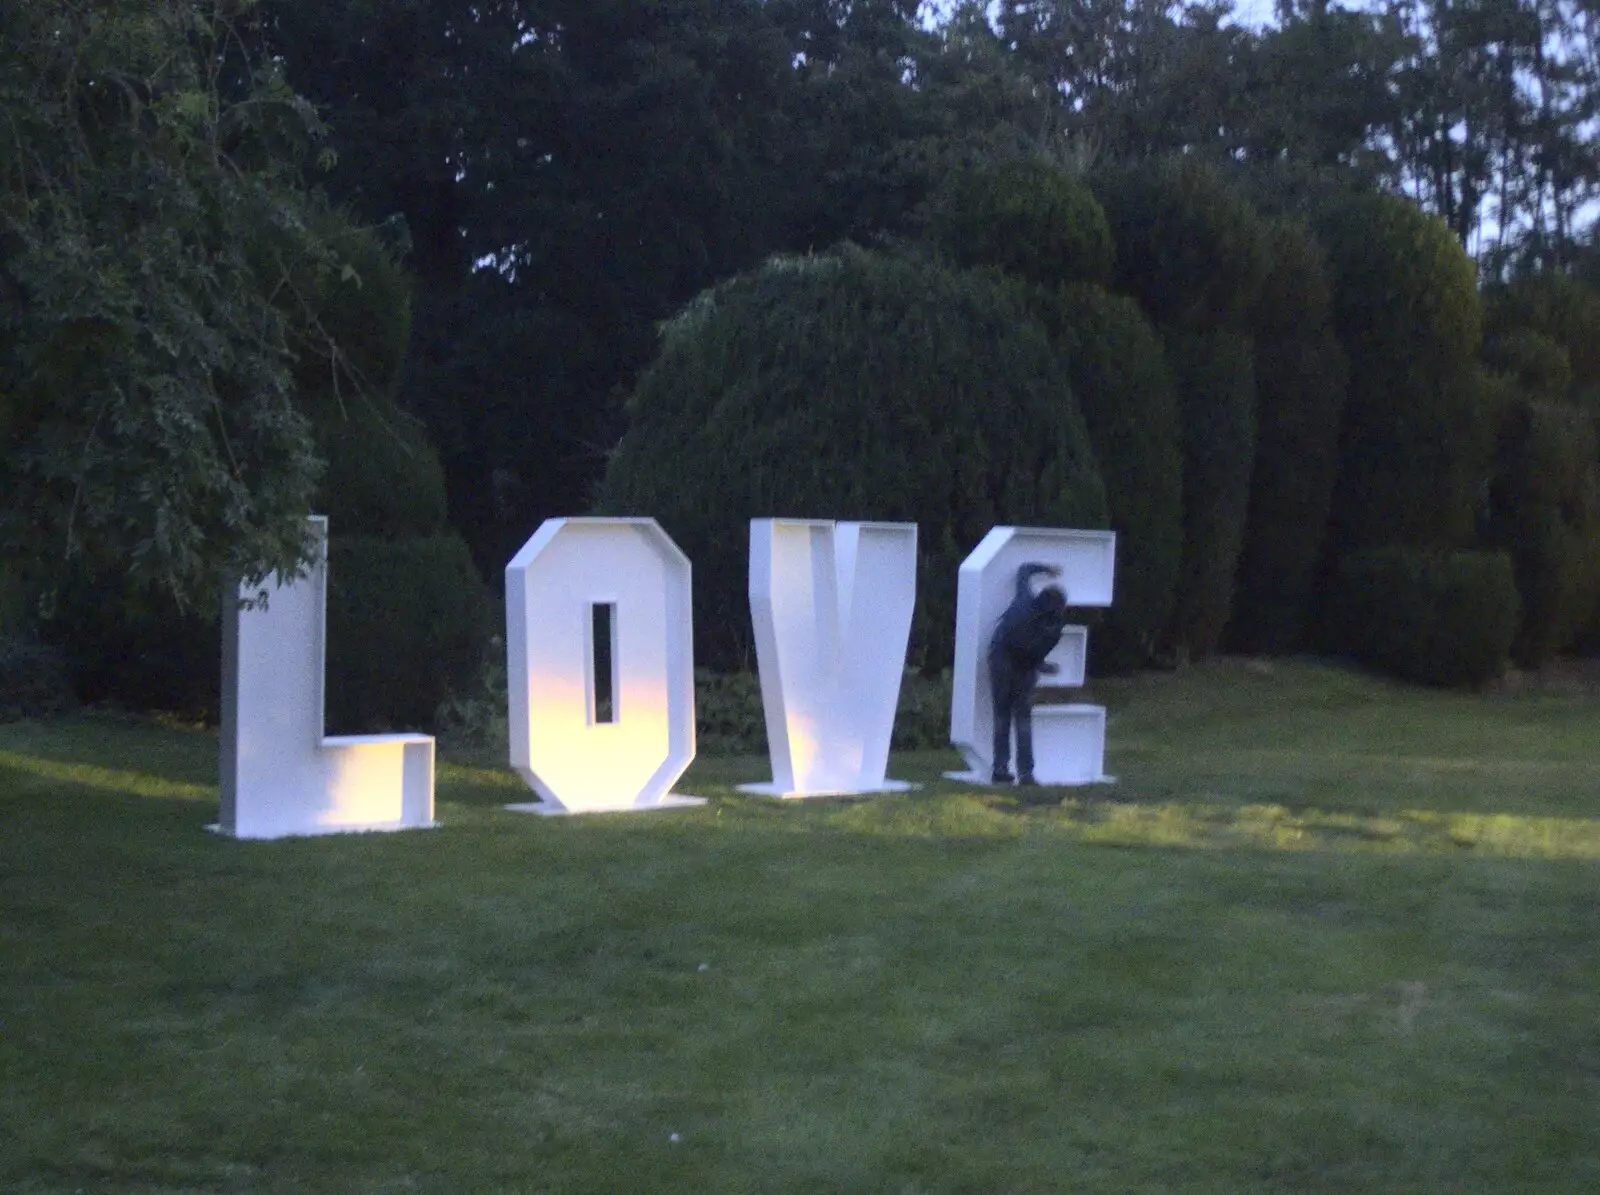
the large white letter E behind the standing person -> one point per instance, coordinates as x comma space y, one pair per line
985, 588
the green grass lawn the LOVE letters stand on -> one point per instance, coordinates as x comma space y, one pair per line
1327, 935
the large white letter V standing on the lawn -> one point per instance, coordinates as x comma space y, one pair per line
833, 607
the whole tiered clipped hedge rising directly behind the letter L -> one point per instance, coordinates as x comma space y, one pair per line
409, 617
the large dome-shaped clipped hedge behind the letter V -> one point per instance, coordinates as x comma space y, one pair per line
852, 386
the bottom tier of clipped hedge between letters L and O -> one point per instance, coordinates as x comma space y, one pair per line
409, 625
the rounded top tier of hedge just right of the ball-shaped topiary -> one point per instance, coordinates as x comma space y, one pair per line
1190, 246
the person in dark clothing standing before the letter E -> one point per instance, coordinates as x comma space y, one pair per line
1026, 633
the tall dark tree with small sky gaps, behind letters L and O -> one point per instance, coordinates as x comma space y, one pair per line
574, 172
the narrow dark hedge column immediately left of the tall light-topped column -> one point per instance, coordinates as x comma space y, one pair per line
1302, 378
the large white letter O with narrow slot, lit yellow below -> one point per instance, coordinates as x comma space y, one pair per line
574, 762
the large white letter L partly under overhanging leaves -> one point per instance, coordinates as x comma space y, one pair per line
281, 773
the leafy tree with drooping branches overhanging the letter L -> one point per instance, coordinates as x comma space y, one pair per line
153, 436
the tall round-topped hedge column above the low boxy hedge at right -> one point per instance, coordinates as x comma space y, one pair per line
1415, 436
